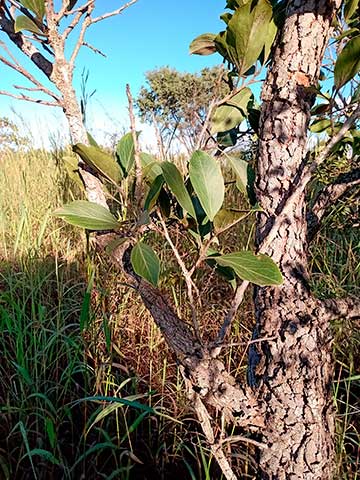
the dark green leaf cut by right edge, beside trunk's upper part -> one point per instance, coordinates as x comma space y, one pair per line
348, 62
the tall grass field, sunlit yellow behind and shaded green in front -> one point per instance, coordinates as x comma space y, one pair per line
70, 331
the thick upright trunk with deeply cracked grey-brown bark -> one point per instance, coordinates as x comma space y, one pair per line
292, 375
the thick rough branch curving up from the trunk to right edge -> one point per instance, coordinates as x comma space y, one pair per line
328, 196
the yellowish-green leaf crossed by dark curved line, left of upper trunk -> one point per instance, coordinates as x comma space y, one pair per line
231, 113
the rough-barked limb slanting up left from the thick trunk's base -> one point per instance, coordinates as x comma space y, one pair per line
208, 376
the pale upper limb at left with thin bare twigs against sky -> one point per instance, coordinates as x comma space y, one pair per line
41, 32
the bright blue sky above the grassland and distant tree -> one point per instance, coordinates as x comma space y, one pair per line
150, 34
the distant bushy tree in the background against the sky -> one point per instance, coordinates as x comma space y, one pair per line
177, 104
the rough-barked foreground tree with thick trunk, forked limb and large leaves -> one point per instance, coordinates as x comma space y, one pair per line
286, 409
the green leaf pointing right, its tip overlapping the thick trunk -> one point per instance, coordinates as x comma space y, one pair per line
258, 269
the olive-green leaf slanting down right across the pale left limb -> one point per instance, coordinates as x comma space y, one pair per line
100, 161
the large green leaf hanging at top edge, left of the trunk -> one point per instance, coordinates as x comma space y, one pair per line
248, 32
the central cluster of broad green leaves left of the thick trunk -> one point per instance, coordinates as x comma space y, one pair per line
194, 202
